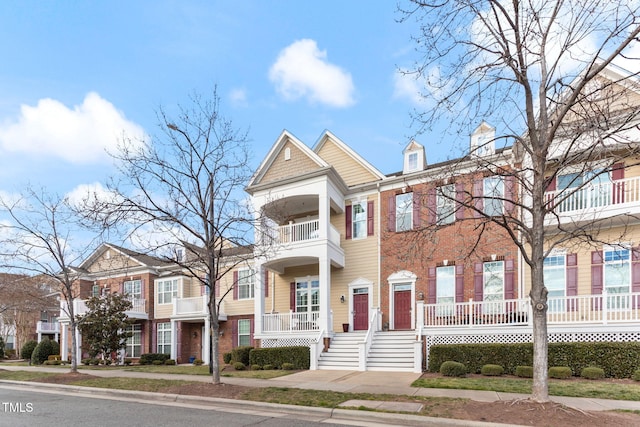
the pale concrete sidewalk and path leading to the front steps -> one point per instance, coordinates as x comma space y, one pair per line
398, 383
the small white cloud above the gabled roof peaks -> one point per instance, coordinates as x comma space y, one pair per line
302, 71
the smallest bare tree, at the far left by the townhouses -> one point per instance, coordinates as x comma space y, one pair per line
39, 240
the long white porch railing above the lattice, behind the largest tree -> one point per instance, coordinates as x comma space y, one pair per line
593, 309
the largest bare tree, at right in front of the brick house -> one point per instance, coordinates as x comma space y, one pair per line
534, 68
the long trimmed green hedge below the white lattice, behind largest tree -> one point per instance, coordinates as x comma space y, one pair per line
617, 359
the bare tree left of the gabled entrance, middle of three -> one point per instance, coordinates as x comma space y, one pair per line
188, 183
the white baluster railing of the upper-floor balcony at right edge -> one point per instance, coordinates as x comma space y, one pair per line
595, 195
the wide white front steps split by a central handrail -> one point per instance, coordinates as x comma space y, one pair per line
390, 351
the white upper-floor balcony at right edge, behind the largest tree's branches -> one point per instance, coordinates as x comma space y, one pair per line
603, 199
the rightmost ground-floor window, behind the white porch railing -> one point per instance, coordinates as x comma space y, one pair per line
617, 276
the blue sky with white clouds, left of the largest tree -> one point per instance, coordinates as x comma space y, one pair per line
76, 74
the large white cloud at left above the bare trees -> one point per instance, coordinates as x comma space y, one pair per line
82, 134
